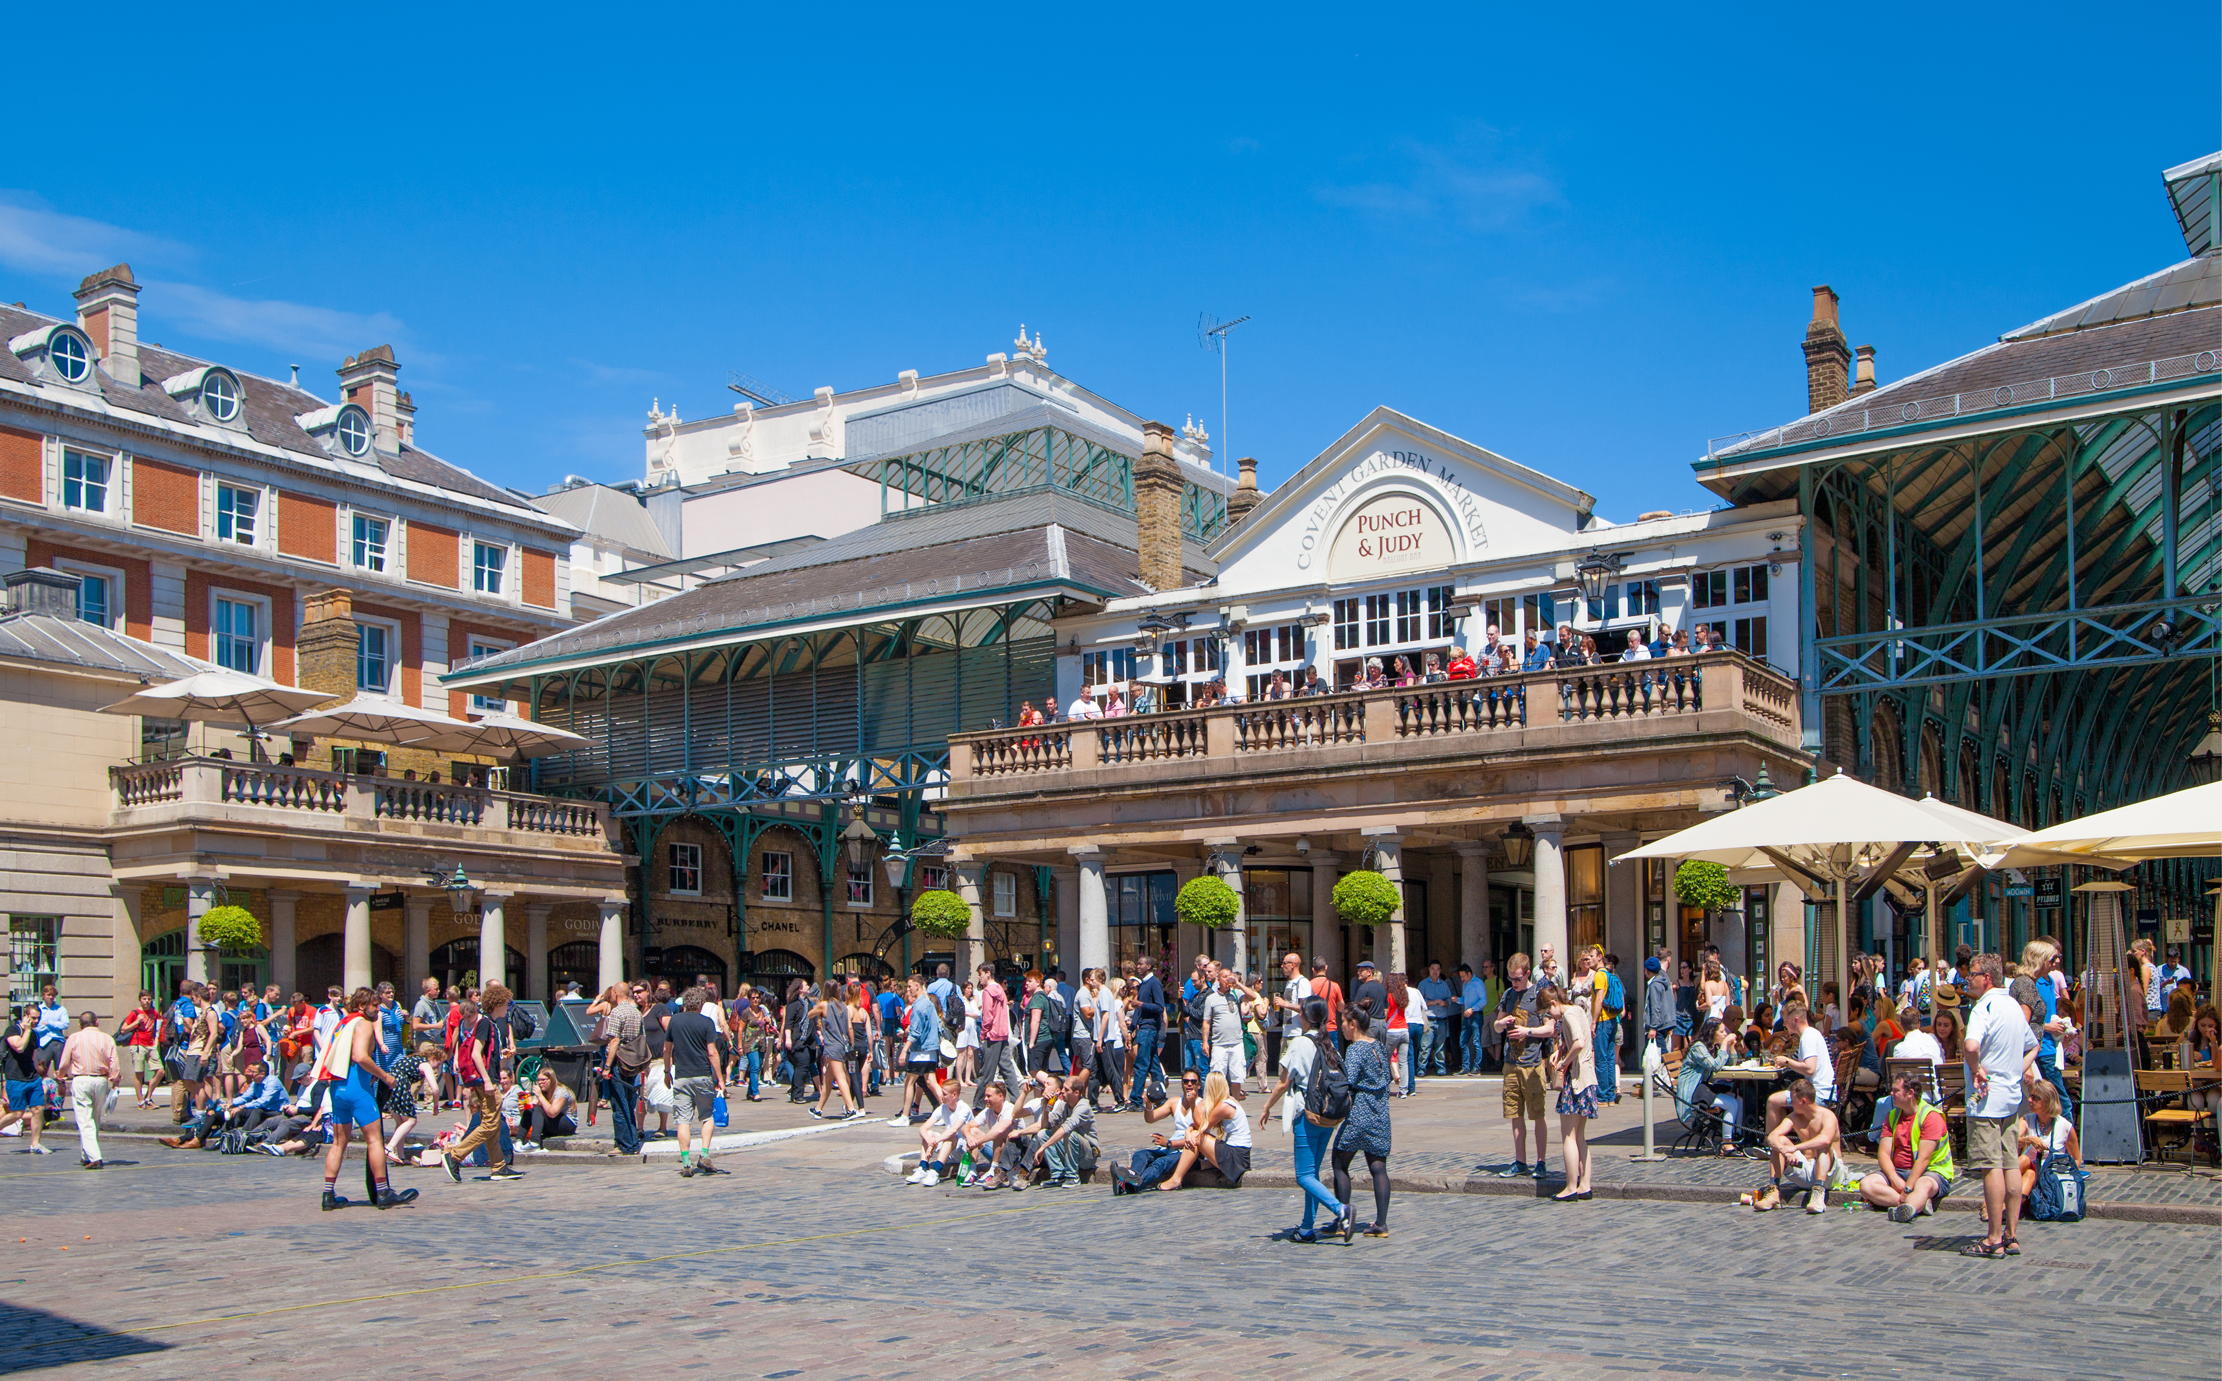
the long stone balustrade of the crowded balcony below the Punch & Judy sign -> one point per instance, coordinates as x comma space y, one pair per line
1488, 712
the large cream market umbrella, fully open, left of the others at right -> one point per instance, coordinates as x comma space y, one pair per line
1825, 838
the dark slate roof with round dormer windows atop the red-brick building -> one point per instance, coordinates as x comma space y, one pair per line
270, 412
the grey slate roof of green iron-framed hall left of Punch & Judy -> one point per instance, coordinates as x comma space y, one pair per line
948, 552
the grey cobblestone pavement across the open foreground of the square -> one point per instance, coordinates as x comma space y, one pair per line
792, 1267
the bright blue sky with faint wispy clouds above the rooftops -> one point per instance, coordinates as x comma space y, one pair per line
1583, 239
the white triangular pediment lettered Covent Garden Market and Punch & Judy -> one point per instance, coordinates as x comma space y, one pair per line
1390, 498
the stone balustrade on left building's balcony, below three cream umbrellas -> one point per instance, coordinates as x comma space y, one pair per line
308, 794
